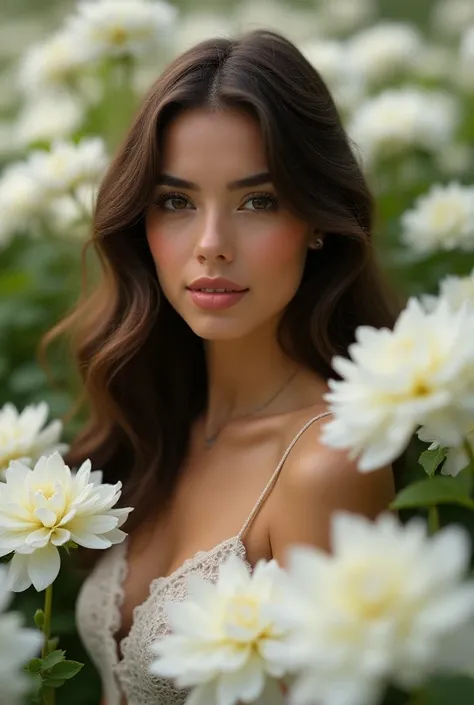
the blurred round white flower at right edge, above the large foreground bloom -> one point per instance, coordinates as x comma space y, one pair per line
442, 219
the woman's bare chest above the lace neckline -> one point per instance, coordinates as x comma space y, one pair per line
211, 503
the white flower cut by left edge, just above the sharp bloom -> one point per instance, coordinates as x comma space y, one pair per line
23, 436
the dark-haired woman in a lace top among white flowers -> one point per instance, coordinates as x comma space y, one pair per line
234, 232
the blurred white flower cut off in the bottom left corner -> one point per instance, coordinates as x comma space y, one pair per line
17, 646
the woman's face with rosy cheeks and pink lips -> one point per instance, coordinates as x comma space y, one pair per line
216, 223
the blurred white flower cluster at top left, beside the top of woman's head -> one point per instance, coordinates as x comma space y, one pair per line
97, 30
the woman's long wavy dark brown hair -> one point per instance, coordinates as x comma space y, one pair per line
142, 370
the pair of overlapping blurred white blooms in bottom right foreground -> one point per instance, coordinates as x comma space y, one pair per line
335, 628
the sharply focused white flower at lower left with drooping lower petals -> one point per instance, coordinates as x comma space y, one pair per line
43, 508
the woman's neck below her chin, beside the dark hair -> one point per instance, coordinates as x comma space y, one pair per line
243, 375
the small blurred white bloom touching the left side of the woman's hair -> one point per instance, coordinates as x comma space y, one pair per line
71, 216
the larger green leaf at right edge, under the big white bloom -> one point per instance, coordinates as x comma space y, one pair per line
434, 490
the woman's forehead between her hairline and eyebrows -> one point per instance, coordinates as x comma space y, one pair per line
200, 143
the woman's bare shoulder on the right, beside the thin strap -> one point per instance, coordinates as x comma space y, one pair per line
316, 481
